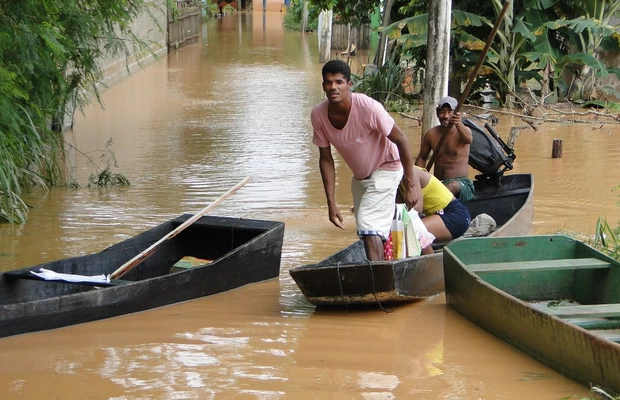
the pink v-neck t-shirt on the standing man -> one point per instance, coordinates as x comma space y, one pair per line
363, 142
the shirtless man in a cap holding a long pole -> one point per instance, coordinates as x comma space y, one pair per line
452, 159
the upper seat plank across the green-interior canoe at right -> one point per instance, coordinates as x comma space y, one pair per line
541, 265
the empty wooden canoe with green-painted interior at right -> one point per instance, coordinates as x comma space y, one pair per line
552, 297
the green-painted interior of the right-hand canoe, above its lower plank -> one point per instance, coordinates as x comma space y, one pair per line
571, 280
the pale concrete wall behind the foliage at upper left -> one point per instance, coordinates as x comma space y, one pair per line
115, 67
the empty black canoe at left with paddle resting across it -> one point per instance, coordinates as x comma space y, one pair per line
243, 251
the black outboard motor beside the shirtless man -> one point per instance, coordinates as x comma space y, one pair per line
488, 153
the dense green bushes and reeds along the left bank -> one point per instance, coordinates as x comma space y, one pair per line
48, 64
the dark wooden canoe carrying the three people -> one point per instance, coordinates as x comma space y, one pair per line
348, 278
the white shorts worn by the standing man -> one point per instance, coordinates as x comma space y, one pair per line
374, 201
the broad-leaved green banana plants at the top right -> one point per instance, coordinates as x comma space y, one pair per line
537, 36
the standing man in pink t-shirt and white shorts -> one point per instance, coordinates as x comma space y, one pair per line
375, 149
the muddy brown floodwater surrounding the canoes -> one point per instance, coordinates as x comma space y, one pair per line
186, 129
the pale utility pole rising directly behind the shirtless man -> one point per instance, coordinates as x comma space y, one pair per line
437, 60
